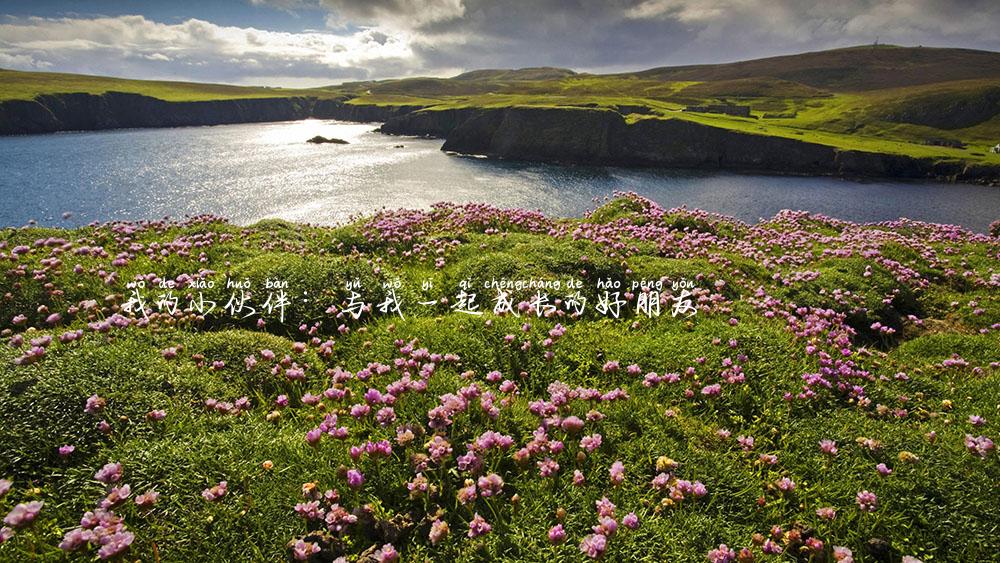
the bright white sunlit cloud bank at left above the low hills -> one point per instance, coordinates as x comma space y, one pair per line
197, 49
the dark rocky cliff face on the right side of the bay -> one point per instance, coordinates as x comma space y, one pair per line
595, 136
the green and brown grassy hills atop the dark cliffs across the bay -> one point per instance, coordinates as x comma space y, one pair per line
915, 101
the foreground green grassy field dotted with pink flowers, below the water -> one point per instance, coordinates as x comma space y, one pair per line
835, 396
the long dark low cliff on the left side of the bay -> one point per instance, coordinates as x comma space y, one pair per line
115, 110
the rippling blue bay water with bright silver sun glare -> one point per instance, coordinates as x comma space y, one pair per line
255, 171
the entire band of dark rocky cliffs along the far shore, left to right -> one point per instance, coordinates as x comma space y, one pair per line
565, 135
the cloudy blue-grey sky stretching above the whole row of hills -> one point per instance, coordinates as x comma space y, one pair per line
301, 43
